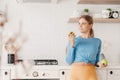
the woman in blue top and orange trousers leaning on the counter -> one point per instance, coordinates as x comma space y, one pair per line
83, 51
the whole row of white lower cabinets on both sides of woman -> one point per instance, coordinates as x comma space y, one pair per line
57, 73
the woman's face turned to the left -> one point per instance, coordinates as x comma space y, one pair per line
84, 26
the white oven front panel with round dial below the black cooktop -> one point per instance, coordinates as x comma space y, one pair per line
39, 74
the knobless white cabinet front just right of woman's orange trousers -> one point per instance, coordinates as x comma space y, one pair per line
102, 74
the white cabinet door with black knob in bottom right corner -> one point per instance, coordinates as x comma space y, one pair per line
113, 74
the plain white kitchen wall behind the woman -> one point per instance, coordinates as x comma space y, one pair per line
47, 27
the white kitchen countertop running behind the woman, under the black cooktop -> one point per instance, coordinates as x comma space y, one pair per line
28, 63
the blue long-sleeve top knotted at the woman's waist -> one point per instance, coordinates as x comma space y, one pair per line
85, 50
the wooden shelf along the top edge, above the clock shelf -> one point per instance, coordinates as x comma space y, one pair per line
99, 2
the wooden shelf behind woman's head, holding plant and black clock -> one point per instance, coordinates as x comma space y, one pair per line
97, 20
